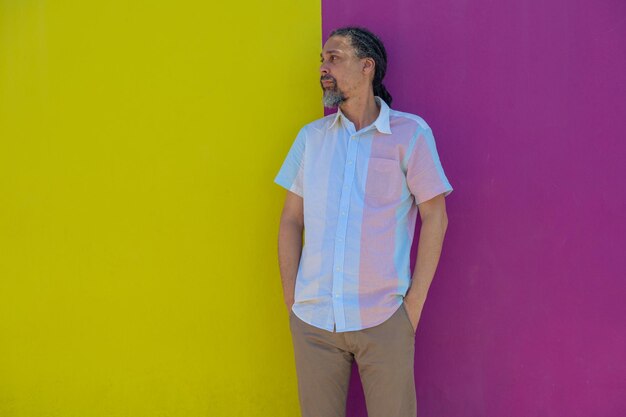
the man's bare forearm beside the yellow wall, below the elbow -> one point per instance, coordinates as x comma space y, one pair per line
289, 252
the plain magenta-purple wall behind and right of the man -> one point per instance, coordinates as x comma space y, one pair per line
527, 99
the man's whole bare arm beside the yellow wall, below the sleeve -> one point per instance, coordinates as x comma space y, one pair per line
290, 244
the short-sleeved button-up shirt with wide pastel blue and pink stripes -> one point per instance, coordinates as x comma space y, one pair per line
360, 192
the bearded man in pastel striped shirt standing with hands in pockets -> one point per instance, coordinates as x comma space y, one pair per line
356, 180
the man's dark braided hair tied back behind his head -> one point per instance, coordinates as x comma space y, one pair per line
367, 45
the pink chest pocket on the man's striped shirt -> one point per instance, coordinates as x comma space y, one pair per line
384, 180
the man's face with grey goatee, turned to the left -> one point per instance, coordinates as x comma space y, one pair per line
342, 74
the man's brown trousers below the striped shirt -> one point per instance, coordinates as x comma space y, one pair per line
384, 355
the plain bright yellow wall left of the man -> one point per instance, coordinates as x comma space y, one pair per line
138, 218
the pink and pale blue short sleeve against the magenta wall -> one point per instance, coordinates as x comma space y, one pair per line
425, 176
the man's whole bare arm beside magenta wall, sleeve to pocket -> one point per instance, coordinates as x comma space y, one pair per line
433, 229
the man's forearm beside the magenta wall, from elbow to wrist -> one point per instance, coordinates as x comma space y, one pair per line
430, 243
